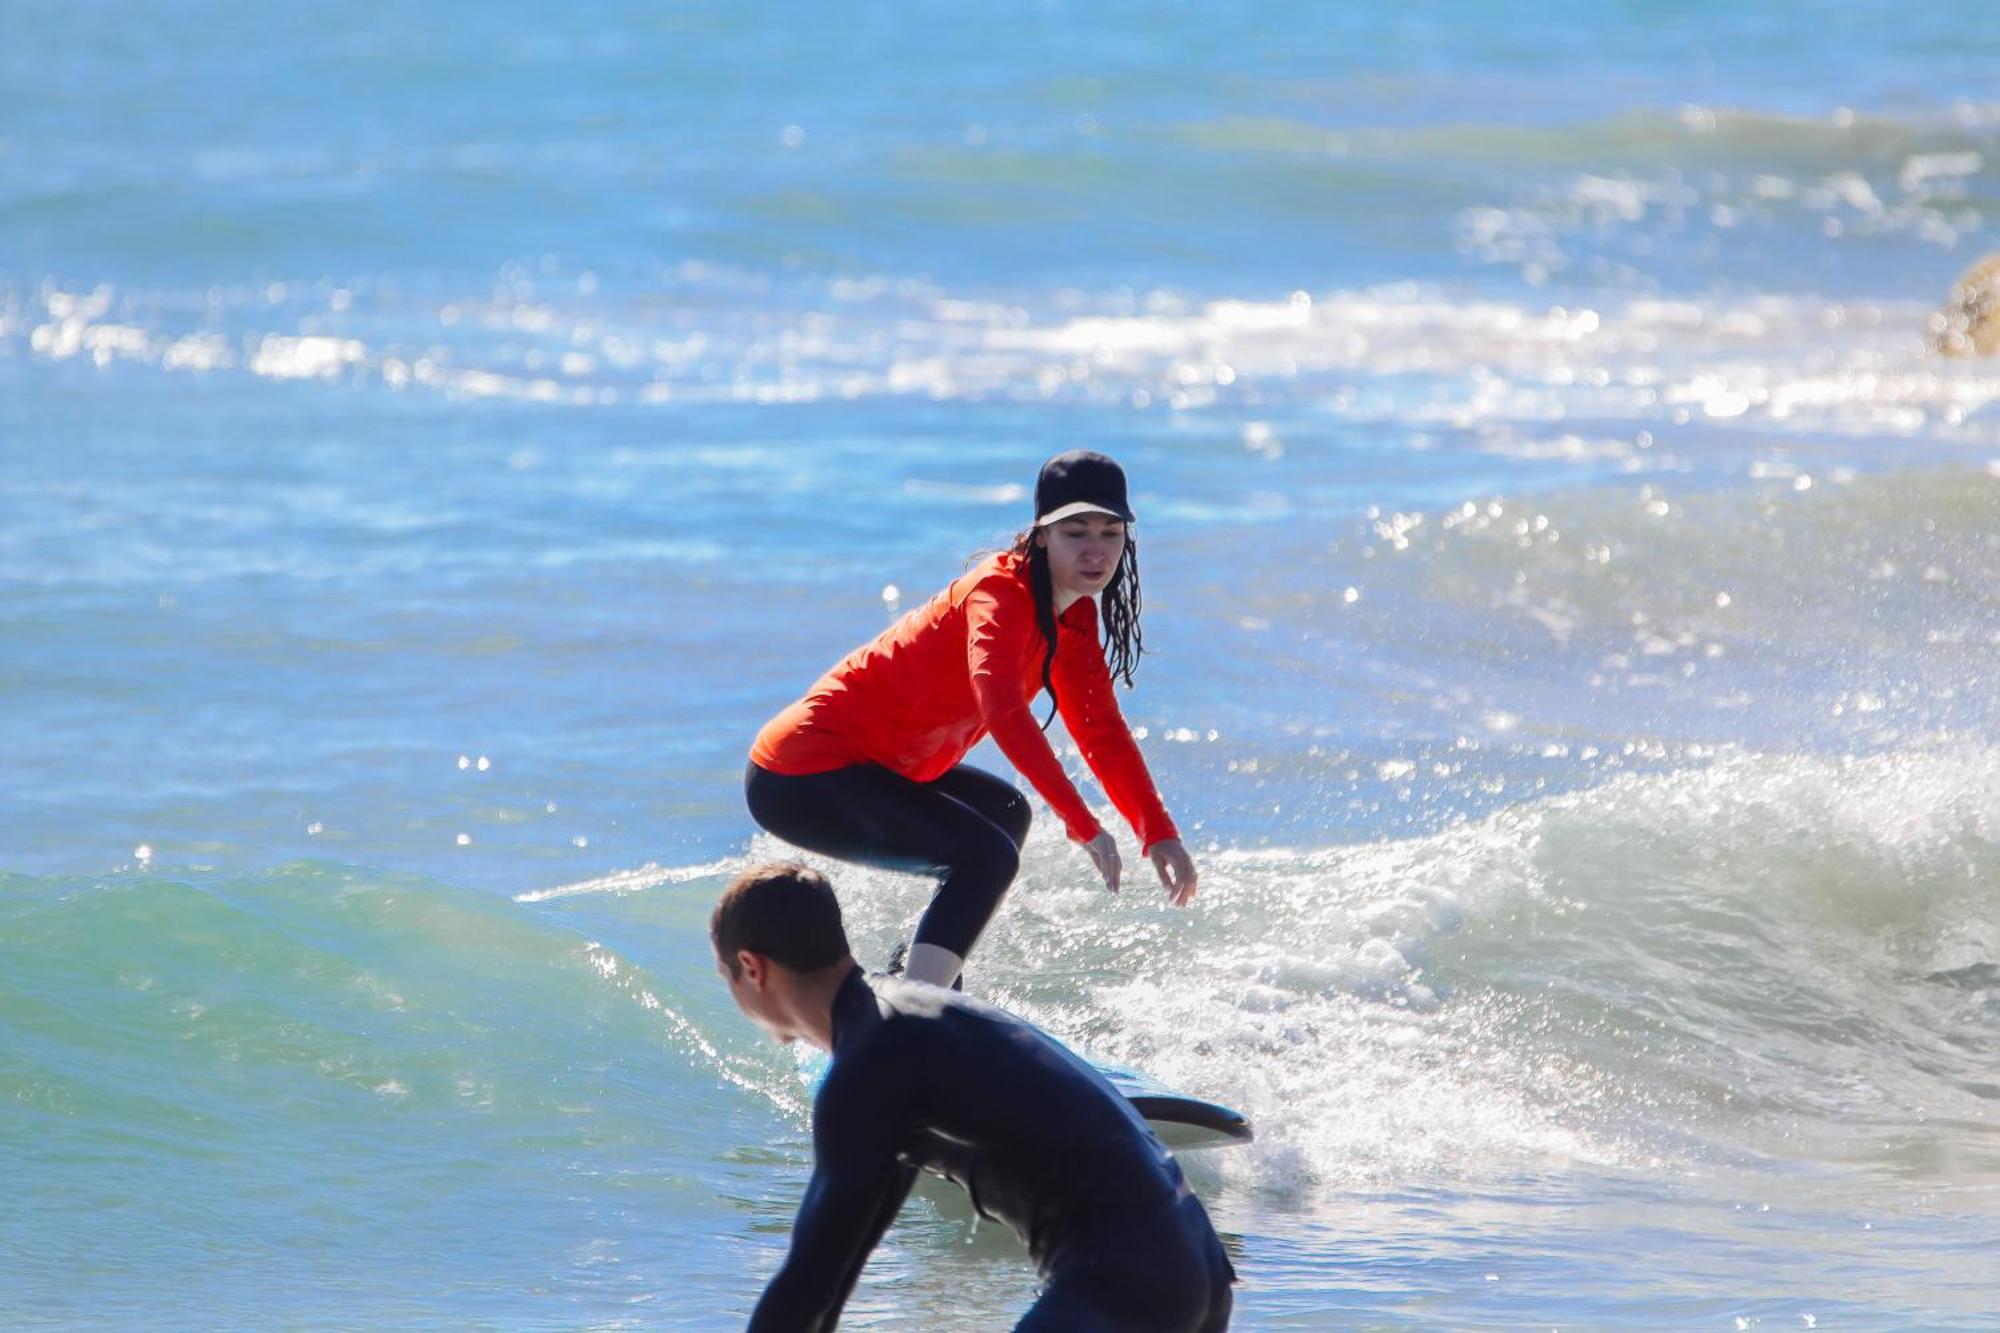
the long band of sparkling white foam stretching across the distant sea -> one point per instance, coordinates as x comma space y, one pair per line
1391, 353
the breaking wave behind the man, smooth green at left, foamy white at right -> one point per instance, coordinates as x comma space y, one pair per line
1755, 968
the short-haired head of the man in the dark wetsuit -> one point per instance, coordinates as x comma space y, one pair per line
781, 946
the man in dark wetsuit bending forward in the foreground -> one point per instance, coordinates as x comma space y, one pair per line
929, 1080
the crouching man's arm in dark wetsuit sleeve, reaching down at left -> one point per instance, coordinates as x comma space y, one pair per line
855, 1194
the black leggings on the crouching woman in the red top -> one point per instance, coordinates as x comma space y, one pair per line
965, 830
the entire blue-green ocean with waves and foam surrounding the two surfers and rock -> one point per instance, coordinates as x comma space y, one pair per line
431, 445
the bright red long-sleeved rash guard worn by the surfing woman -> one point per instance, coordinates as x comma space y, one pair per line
965, 665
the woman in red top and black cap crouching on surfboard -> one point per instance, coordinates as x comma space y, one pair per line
869, 766
